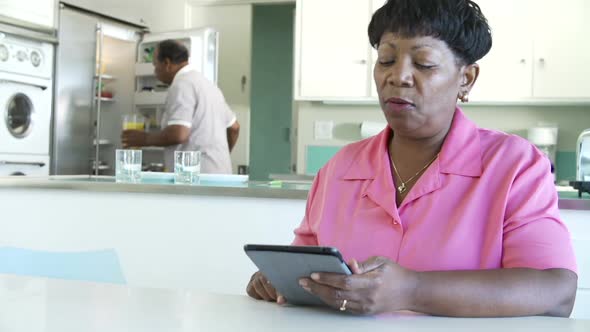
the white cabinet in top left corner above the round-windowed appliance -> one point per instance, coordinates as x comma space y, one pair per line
37, 12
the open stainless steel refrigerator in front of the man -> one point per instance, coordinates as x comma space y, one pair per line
103, 72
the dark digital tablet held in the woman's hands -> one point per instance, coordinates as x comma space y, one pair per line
285, 265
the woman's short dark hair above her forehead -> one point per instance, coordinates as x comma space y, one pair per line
459, 23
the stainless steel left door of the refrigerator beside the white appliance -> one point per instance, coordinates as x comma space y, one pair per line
74, 90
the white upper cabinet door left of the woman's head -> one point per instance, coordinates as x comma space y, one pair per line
334, 48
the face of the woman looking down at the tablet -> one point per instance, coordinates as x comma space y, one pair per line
418, 81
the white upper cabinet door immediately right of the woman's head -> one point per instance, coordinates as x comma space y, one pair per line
506, 71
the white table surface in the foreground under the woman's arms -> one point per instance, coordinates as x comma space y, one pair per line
50, 305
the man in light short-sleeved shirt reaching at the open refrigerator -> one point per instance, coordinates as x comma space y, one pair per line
196, 115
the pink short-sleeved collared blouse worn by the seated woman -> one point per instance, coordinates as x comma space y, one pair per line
487, 202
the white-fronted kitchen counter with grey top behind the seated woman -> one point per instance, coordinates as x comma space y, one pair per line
185, 237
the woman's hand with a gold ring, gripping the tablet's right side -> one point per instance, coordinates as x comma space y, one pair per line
376, 286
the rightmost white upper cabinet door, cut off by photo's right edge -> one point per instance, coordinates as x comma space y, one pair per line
561, 49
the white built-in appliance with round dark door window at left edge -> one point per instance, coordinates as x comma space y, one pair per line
26, 92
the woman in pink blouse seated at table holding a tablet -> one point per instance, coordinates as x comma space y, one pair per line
434, 214
